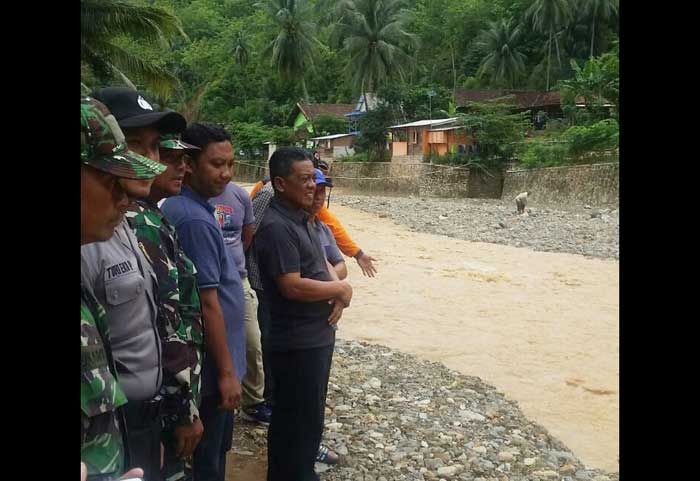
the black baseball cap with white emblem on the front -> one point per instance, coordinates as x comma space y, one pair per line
131, 109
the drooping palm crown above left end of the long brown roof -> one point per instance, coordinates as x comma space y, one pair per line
504, 62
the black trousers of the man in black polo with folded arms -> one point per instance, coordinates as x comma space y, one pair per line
301, 380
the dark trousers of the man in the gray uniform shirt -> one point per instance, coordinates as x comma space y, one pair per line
143, 427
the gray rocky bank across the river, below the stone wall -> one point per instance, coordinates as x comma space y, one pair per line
588, 231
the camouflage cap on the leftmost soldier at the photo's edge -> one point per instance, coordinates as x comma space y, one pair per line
102, 144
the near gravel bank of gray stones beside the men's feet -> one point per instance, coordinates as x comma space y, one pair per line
393, 417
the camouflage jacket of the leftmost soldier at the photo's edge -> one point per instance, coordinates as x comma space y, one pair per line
101, 444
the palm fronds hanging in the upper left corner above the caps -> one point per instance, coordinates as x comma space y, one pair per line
101, 21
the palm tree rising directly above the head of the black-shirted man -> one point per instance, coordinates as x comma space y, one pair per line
294, 47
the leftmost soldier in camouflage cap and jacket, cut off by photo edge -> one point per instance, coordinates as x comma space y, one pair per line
105, 160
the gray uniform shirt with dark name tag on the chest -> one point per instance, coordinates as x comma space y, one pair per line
123, 281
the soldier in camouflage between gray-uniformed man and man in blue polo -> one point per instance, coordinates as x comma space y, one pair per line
179, 318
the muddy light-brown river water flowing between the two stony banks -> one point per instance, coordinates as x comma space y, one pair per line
542, 327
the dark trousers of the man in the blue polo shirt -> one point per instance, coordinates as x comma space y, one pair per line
210, 454
